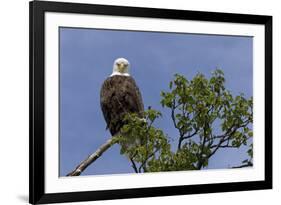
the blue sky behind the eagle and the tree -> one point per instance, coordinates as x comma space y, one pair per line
86, 59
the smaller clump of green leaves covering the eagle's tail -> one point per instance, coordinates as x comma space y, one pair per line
140, 141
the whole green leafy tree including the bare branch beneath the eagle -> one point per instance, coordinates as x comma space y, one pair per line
207, 117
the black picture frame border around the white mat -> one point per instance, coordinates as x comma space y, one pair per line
37, 10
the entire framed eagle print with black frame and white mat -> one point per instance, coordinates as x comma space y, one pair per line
140, 102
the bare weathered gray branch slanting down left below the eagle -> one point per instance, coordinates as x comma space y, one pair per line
93, 157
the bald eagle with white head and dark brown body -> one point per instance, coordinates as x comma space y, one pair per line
120, 95
